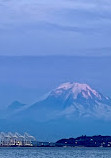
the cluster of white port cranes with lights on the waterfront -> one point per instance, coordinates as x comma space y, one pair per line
16, 139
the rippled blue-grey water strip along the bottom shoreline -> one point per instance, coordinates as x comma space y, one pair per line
55, 152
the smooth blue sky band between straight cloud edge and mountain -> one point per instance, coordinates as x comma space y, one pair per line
27, 79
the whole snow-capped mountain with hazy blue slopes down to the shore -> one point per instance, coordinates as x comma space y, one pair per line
71, 109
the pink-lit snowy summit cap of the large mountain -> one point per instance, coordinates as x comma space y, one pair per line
76, 89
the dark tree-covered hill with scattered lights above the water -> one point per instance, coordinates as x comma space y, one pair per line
86, 141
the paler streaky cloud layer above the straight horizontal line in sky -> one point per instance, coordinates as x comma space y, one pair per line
48, 27
